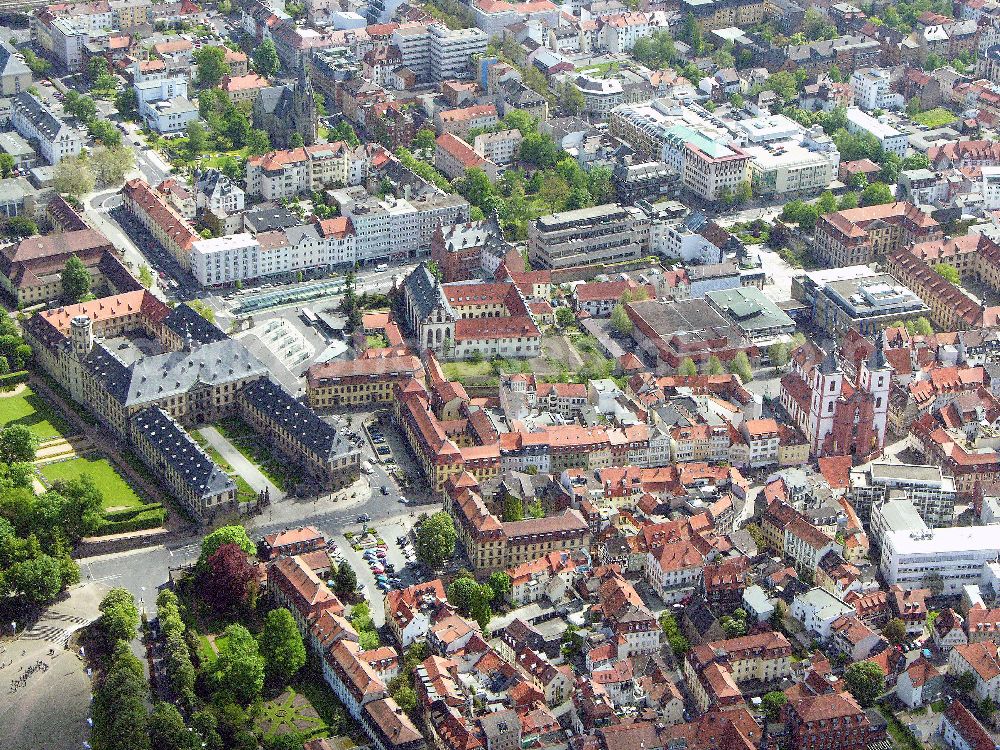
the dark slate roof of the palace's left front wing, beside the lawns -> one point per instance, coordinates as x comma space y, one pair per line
177, 449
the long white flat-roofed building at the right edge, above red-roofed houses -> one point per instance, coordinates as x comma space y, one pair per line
957, 554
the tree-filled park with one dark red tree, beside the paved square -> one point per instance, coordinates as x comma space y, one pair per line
236, 670
